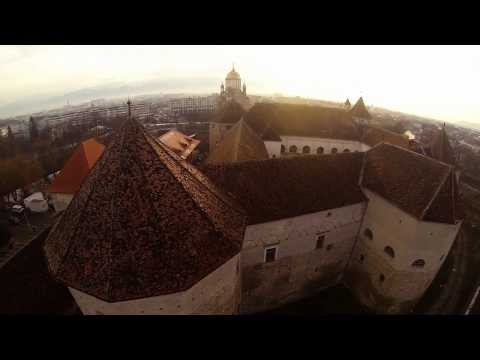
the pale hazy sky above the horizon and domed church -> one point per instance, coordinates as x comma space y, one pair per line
434, 81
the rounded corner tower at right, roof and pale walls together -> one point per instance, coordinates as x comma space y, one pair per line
409, 226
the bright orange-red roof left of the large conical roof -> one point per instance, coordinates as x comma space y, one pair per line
77, 167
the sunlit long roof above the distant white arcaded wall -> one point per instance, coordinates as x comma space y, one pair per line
303, 120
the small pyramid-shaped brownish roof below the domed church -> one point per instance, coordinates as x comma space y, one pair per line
240, 143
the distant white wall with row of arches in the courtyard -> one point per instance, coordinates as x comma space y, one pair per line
315, 143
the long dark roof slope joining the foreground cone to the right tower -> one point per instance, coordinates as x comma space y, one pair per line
282, 188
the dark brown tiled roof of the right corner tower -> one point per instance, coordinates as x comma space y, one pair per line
415, 183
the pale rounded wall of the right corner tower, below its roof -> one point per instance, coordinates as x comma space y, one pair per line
397, 256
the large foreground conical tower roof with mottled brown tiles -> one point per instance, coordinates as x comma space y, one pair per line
144, 223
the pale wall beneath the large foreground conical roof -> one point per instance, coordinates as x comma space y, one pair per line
217, 293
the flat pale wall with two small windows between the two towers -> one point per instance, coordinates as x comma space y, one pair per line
312, 252
